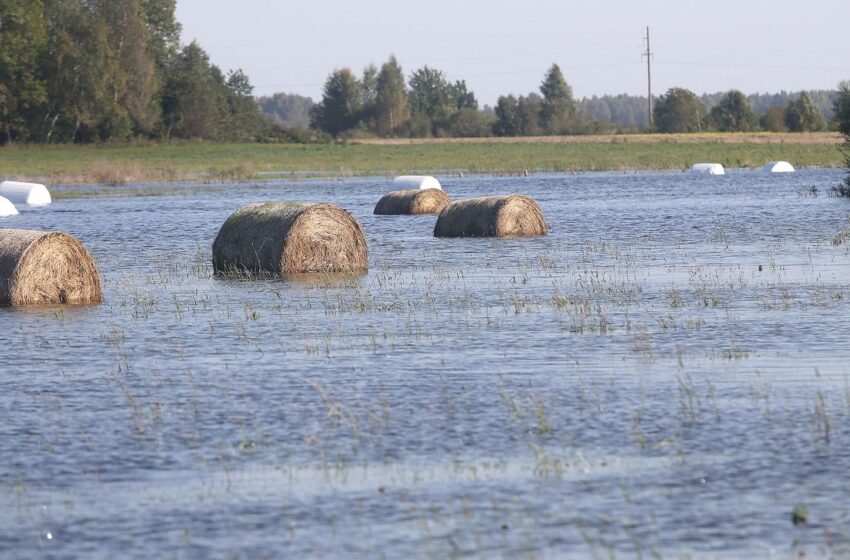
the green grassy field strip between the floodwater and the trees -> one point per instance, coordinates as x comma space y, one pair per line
238, 162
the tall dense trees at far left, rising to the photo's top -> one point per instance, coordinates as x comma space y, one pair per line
113, 70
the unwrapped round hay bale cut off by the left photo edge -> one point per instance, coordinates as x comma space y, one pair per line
38, 268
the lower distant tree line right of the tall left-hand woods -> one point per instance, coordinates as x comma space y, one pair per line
382, 102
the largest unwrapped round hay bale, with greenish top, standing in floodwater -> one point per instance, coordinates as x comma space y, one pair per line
290, 238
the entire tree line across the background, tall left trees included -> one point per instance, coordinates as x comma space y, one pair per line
114, 70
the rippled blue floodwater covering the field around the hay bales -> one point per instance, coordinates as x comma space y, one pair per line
665, 374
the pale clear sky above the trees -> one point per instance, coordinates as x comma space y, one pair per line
501, 47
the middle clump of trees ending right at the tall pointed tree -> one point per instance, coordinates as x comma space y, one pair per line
383, 103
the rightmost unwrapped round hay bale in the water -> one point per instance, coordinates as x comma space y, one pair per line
513, 215
